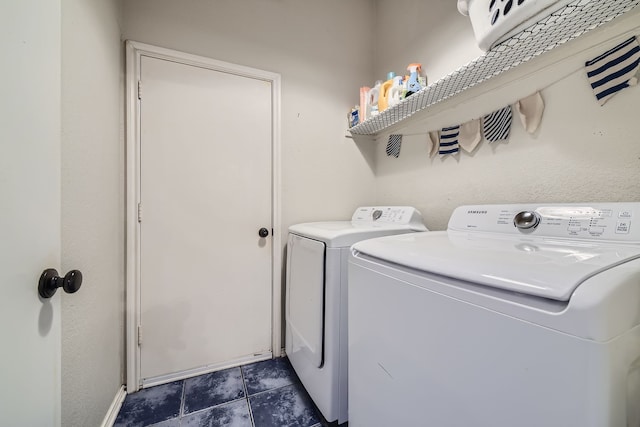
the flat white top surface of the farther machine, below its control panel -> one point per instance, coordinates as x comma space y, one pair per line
346, 233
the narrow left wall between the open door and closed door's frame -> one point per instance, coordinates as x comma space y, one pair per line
92, 208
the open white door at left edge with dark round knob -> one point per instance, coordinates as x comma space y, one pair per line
29, 211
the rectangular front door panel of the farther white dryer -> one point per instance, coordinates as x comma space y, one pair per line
305, 297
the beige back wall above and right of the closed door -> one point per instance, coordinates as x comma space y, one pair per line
323, 52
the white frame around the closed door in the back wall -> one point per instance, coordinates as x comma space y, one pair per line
134, 53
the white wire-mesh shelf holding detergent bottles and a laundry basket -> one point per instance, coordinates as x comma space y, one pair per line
568, 23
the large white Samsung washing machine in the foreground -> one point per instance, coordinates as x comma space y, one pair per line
517, 315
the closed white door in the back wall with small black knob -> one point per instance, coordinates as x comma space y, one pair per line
205, 192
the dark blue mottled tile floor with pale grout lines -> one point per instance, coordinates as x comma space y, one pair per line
262, 394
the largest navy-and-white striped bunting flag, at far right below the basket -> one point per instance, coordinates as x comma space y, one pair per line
614, 70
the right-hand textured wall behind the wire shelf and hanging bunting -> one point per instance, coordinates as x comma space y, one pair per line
582, 151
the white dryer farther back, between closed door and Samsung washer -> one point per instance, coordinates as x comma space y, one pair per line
316, 292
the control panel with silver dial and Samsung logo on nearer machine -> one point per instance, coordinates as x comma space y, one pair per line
619, 222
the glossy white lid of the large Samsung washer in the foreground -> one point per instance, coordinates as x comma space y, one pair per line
548, 269
